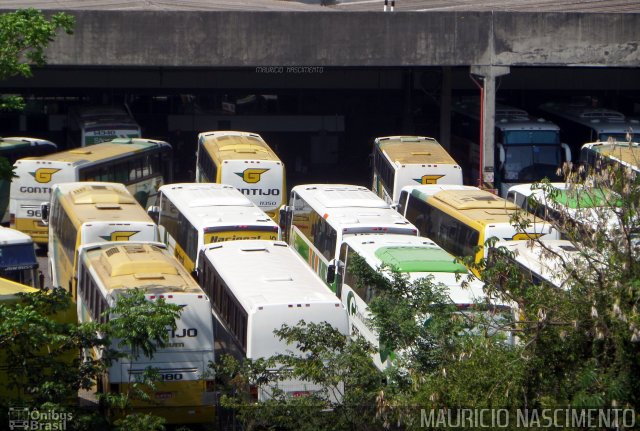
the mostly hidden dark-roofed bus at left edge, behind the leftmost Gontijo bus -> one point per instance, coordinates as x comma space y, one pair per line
12, 149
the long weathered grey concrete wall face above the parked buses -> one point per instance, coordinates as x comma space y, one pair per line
241, 39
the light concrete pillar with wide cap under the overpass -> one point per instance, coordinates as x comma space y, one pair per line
488, 103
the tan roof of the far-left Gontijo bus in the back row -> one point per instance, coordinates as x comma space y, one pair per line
104, 150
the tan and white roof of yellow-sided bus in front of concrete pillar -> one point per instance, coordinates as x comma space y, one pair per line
476, 206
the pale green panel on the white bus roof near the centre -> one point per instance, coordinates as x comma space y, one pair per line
419, 259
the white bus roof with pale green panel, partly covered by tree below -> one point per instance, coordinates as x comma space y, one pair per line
419, 257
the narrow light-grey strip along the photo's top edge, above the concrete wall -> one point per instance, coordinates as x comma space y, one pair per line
594, 6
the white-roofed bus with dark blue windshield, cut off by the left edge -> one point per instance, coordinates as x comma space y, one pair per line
18, 258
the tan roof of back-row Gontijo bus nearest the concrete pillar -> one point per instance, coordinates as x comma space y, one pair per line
414, 150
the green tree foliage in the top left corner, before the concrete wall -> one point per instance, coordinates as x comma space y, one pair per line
24, 36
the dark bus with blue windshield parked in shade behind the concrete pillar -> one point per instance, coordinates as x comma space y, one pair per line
527, 149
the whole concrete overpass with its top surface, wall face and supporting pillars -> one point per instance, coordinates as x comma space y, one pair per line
157, 40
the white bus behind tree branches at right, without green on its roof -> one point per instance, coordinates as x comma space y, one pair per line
542, 261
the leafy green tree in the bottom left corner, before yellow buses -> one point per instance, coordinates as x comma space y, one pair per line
40, 345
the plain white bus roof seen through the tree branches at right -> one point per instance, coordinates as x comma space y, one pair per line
544, 257
